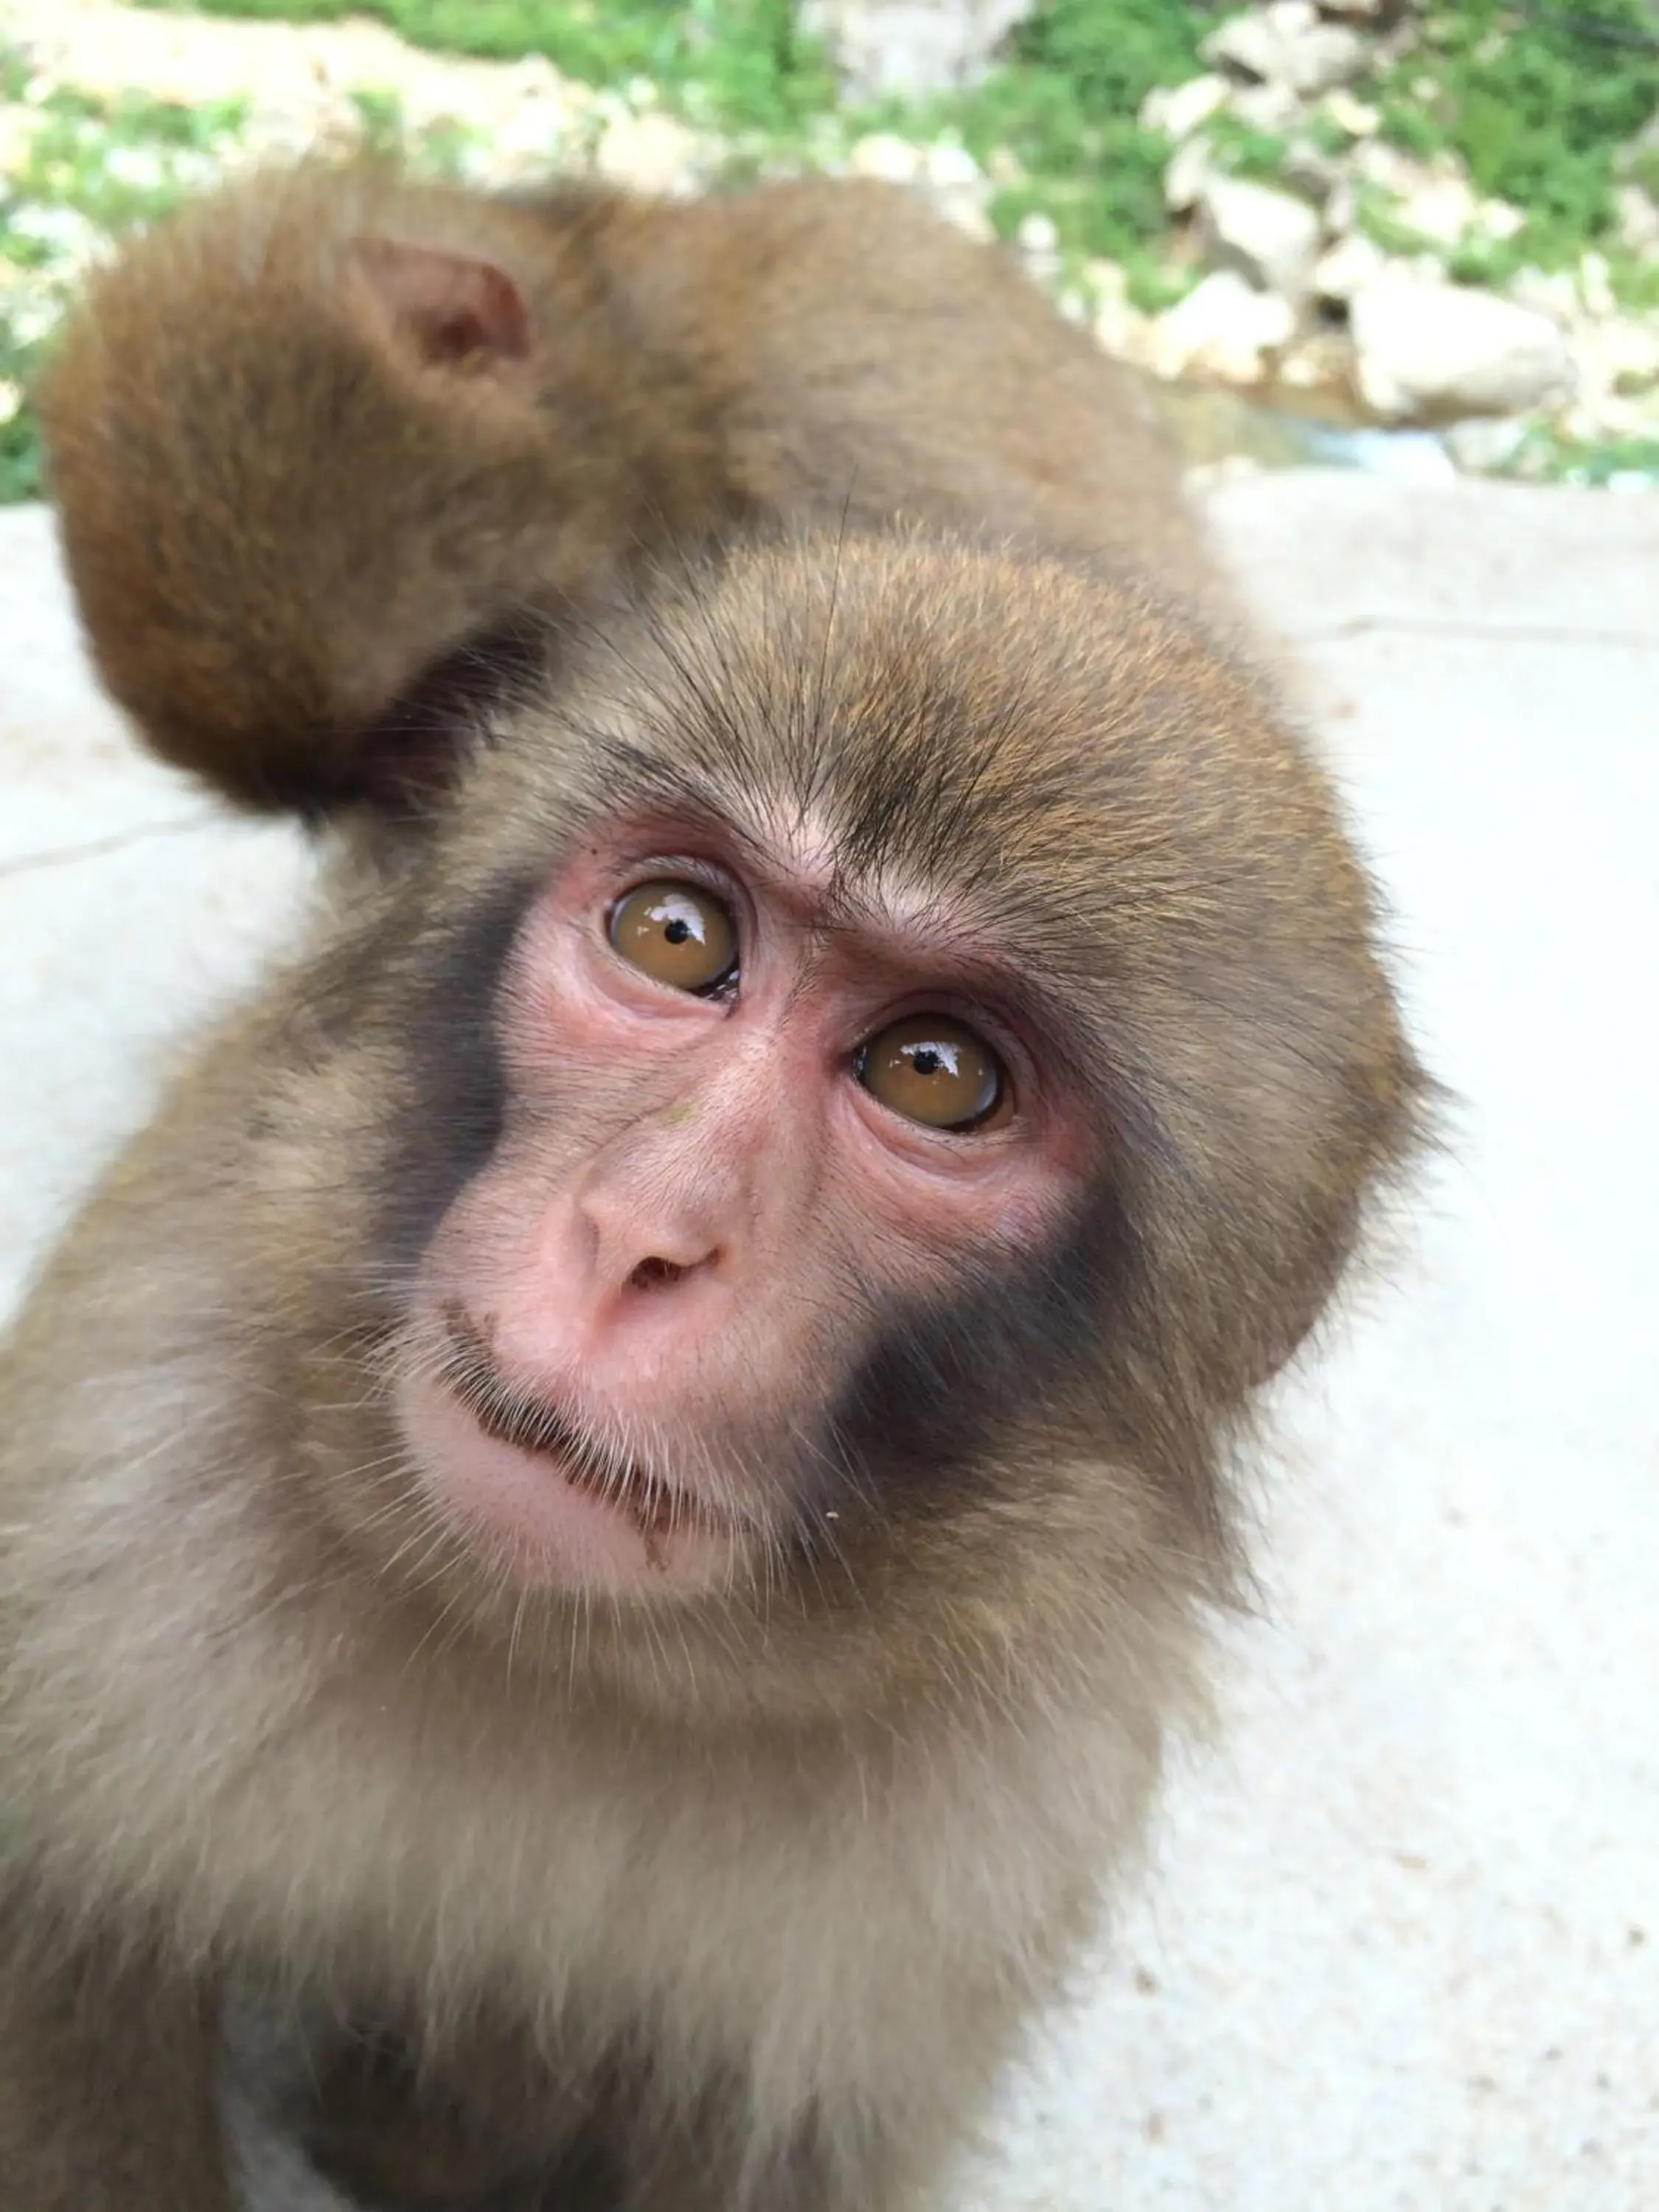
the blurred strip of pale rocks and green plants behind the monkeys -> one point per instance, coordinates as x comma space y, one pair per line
1412, 236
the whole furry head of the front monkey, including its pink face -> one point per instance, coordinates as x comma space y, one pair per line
848, 1100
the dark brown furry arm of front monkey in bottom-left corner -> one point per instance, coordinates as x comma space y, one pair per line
107, 2087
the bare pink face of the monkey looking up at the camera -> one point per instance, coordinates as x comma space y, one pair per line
762, 1112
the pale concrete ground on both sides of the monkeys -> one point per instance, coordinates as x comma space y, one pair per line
1401, 1945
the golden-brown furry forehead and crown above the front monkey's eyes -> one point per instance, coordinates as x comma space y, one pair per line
928, 729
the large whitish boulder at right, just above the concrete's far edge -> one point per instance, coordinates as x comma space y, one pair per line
1434, 346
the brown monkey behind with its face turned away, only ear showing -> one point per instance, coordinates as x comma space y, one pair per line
512, 401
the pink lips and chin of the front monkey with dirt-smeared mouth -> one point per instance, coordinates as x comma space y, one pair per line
519, 1479
